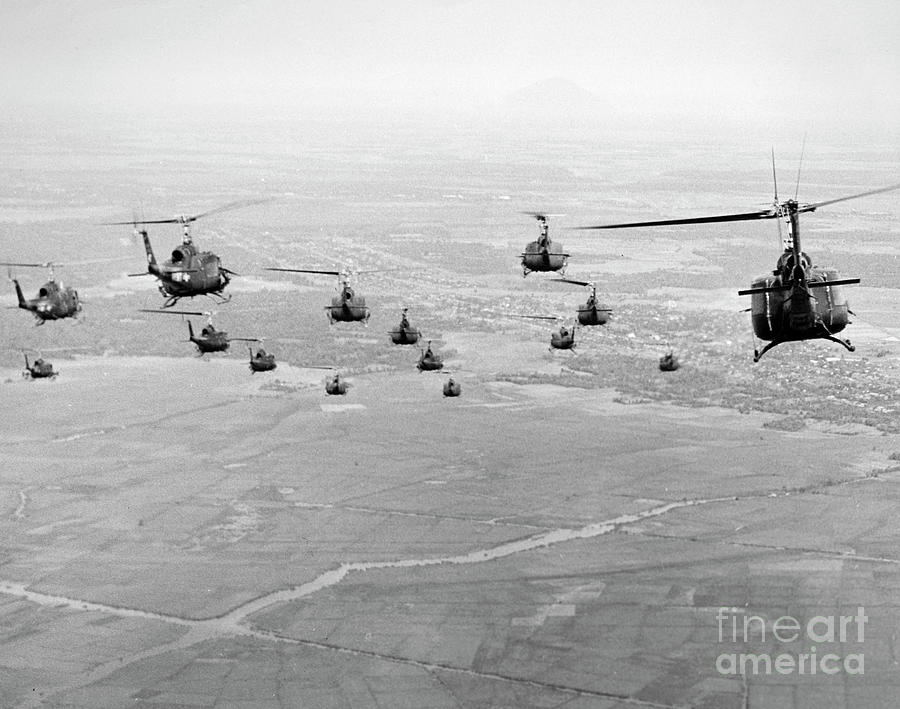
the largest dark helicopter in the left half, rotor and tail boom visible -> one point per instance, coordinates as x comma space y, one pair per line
189, 272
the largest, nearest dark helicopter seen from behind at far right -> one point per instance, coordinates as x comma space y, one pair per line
785, 306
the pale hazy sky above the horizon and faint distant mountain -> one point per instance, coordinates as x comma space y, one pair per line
808, 58
